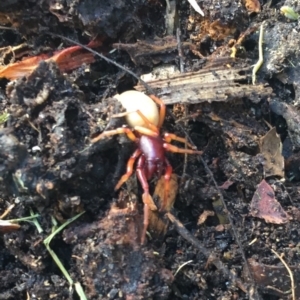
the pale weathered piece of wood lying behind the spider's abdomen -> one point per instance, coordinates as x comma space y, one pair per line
213, 84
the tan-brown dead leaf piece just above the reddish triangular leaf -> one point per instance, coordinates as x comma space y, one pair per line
271, 149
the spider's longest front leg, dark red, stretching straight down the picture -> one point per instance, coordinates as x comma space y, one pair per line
147, 199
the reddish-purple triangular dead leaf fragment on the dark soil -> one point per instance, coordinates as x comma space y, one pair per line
265, 206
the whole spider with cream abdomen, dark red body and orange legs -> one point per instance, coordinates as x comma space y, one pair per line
151, 147
